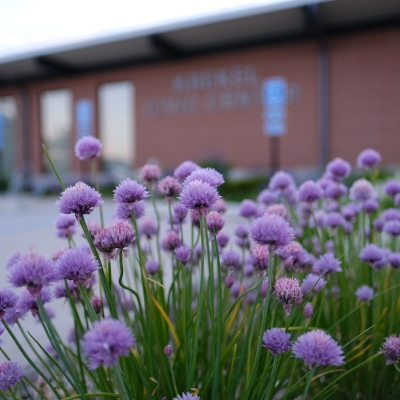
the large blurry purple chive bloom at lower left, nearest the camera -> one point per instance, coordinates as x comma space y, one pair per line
108, 340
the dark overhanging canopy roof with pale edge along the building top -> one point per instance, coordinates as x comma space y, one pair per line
287, 20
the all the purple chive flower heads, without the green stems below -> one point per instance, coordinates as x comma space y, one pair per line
266, 243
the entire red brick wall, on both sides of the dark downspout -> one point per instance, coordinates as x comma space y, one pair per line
364, 104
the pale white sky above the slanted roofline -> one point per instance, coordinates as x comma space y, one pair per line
28, 25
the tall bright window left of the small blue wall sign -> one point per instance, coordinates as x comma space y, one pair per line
56, 127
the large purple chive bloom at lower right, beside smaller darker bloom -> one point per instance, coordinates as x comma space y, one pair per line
317, 348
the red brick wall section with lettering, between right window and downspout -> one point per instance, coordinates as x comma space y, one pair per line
235, 136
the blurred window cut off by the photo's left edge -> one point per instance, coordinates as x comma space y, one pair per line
8, 120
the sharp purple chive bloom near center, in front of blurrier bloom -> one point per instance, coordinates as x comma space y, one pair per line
197, 195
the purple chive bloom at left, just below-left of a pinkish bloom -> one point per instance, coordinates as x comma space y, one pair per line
76, 265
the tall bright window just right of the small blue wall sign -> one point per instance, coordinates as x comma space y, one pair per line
116, 125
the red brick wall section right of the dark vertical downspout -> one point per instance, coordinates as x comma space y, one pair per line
365, 94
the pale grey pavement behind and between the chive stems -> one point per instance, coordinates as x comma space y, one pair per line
27, 222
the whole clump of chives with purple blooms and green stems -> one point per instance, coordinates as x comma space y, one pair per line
301, 305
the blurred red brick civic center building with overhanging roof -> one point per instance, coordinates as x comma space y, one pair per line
293, 85
